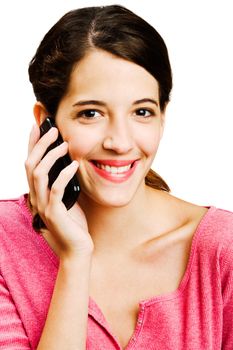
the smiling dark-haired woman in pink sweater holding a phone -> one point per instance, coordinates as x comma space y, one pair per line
129, 266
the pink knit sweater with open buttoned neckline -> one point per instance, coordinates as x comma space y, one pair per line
198, 315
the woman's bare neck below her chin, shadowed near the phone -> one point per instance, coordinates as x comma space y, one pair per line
121, 228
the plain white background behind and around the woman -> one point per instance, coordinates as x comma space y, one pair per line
195, 155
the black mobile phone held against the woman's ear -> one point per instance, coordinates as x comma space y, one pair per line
72, 189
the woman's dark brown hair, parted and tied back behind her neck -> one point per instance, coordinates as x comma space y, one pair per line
114, 29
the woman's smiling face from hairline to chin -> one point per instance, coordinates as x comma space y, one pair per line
112, 121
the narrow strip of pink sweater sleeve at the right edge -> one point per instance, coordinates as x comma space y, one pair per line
227, 293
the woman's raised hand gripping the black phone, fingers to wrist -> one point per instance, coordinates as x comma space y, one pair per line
67, 229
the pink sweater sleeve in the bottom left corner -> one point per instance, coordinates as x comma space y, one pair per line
12, 333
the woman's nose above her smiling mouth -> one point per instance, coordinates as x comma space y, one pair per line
118, 138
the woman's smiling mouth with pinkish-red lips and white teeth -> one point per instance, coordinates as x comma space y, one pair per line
114, 170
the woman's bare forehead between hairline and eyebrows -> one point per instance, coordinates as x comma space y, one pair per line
100, 72
